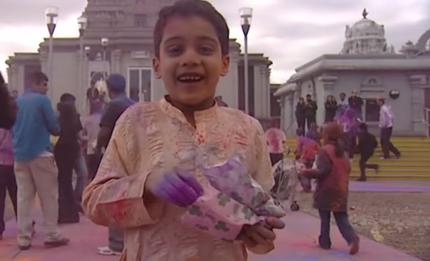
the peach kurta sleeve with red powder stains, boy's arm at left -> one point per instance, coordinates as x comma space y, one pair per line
115, 196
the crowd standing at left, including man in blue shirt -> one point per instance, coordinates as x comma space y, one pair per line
41, 150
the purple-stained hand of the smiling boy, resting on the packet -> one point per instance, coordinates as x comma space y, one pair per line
178, 187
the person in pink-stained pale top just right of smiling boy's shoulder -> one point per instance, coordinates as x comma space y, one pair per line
275, 138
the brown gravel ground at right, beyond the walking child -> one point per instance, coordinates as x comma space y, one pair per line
400, 220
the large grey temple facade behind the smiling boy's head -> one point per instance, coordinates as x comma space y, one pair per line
78, 63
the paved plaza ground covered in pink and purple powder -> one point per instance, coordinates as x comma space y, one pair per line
297, 242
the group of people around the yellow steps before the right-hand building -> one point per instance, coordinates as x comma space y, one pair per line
348, 114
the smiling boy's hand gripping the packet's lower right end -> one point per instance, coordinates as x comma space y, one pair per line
260, 233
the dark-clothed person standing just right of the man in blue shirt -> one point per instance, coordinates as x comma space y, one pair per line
66, 153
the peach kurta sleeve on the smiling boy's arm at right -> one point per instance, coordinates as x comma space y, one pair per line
263, 174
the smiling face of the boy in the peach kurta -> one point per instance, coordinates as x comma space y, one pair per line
190, 60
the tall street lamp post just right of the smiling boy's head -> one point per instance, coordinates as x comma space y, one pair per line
246, 17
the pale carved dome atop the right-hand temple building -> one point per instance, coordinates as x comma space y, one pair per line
365, 37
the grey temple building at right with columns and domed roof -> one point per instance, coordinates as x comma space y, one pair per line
366, 64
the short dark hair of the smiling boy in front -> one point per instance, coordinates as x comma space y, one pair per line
187, 8
